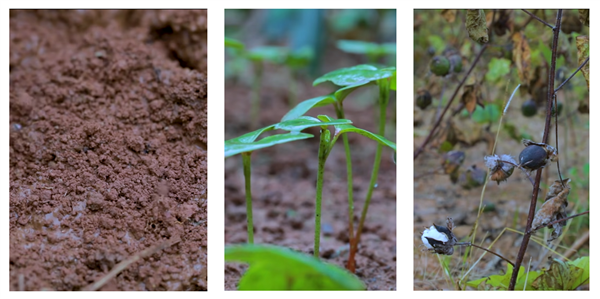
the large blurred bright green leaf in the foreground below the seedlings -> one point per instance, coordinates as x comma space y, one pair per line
278, 268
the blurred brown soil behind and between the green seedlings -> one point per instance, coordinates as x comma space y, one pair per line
284, 180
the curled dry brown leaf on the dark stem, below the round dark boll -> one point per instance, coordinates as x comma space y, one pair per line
553, 208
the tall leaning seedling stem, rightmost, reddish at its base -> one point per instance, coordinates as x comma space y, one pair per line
384, 94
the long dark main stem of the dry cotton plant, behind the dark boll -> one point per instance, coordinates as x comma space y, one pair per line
538, 177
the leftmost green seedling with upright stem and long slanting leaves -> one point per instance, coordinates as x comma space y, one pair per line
247, 143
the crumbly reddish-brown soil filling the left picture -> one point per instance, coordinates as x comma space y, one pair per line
108, 149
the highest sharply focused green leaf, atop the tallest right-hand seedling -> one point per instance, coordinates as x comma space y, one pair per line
359, 74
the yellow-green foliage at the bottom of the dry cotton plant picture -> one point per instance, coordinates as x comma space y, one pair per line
560, 276
